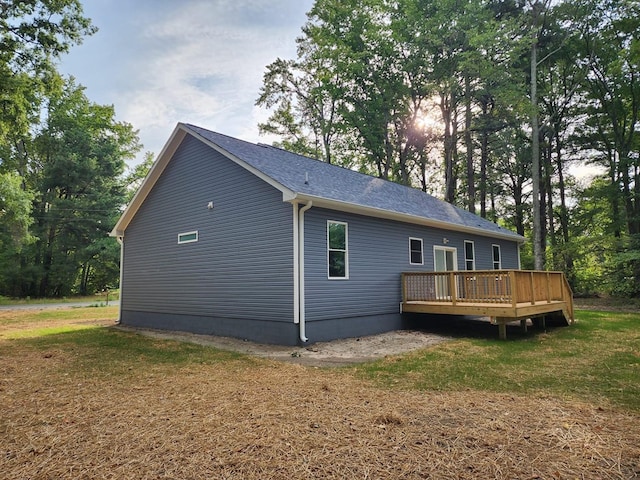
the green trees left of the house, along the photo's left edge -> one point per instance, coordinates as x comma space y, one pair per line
62, 159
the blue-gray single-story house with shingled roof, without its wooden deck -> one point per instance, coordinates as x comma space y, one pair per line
230, 238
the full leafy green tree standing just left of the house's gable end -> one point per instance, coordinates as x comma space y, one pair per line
77, 162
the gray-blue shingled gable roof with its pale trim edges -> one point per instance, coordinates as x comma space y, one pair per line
304, 179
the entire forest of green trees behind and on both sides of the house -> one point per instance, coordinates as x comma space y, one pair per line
495, 106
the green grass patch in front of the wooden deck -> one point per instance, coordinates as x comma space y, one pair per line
596, 360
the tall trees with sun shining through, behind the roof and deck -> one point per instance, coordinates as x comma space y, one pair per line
494, 105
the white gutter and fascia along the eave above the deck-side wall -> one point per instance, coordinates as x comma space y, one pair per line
401, 217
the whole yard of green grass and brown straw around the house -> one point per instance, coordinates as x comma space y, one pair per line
91, 401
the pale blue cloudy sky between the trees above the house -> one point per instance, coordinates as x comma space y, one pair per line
160, 62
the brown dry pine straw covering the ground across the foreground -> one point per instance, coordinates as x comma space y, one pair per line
242, 420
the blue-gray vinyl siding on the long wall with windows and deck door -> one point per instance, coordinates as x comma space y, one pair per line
378, 253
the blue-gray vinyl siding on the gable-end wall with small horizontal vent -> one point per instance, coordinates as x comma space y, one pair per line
241, 267
